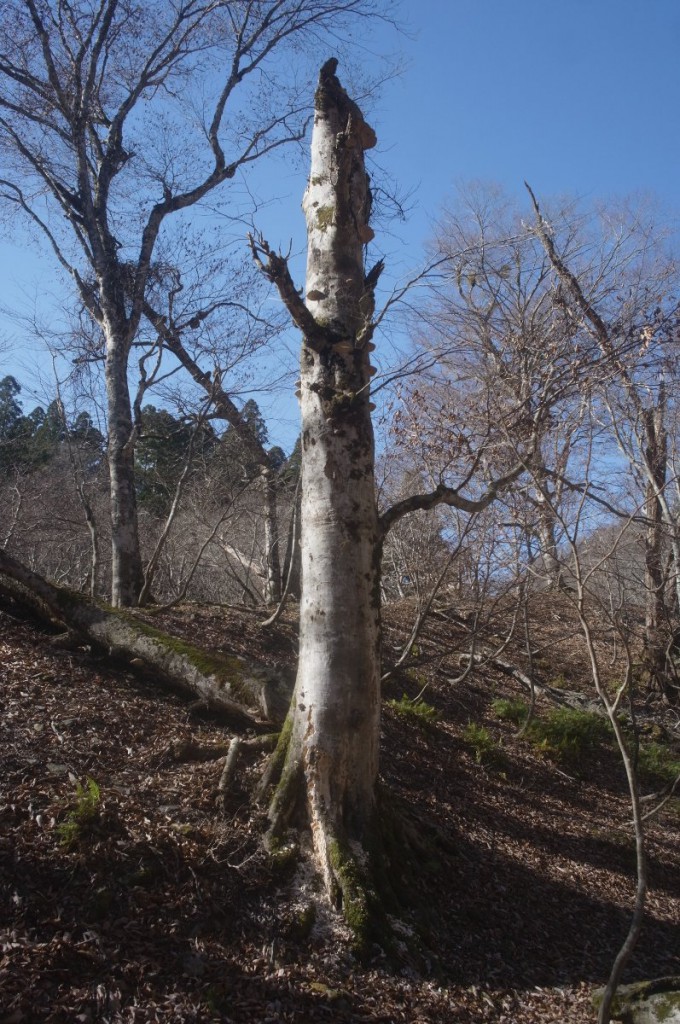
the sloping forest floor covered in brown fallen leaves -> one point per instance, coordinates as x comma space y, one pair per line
139, 901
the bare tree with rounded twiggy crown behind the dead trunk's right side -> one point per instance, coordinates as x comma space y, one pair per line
511, 365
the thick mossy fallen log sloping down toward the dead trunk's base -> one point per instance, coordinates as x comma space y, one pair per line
247, 694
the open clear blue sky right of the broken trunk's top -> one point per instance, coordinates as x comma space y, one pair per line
578, 96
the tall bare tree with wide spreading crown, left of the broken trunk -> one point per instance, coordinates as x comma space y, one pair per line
114, 122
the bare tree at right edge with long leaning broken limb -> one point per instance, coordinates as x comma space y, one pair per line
628, 305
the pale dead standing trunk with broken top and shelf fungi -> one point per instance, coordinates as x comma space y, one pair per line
330, 762
